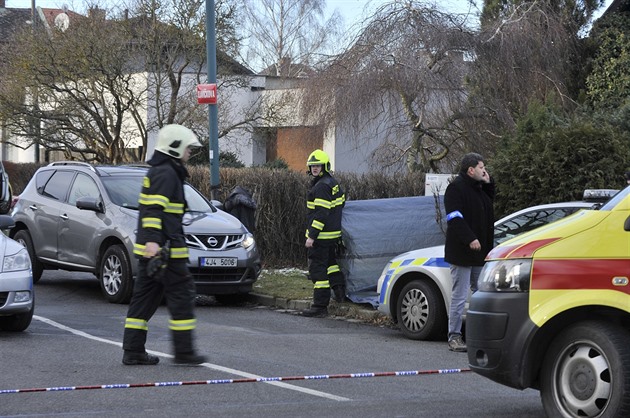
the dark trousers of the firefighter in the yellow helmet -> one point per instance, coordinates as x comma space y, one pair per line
324, 271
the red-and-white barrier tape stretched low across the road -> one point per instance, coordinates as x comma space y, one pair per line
246, 380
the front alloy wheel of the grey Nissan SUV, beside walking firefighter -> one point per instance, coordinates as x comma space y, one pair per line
115, 275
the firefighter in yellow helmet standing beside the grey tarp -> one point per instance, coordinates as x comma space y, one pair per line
324, 203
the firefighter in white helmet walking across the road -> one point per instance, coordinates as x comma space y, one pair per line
161, 210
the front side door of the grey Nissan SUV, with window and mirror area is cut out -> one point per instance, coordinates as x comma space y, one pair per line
77, 236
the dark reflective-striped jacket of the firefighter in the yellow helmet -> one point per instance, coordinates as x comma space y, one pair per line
324, 202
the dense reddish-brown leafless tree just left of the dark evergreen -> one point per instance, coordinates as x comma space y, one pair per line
530, 54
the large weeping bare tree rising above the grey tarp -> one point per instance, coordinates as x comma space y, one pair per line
403, 76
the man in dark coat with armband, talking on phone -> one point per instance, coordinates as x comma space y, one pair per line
469, 236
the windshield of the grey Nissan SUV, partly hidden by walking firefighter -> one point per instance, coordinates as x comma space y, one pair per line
124, 191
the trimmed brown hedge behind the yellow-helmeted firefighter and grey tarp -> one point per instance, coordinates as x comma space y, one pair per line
281, 198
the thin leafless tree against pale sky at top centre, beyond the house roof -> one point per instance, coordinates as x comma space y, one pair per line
286, 36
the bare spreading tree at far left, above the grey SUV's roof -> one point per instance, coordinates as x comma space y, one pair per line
72, 92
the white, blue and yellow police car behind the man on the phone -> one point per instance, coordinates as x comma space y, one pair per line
414, 288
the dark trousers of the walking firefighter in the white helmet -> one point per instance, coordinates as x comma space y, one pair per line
178, 287
